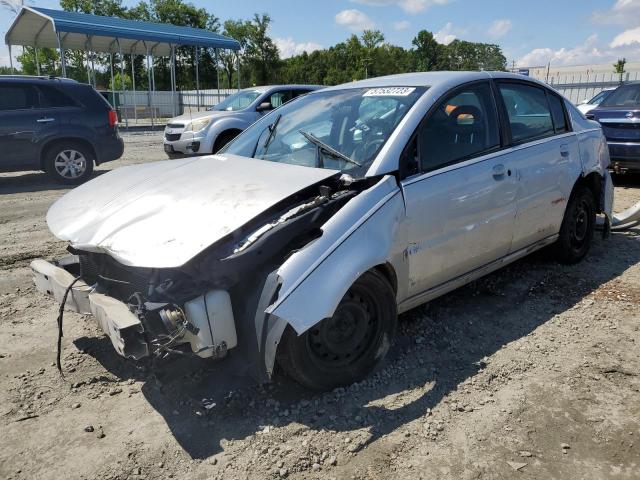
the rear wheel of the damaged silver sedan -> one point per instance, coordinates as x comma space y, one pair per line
578, 226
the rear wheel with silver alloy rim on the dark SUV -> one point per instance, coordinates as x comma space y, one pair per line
69, 163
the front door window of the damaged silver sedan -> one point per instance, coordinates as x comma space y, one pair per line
464, 125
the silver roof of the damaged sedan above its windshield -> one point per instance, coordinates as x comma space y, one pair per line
432, 79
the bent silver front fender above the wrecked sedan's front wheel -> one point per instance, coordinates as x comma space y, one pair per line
314, 280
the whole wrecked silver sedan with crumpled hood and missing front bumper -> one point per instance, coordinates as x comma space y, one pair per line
300, 243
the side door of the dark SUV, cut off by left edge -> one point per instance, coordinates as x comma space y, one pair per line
19, 125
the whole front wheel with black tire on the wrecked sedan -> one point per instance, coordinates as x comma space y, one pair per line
345, 348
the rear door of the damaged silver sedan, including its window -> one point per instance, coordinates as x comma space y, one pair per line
545, 156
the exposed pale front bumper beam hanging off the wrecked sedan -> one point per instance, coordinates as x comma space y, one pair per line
123, 328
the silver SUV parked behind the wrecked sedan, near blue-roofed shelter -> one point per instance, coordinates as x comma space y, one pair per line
209, 131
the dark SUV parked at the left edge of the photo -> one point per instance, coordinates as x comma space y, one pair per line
56, 125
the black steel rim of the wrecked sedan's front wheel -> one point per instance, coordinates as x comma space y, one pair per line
350, 334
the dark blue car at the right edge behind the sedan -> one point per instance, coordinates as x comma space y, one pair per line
619, 115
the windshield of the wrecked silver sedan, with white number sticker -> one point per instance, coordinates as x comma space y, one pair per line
336, 129
